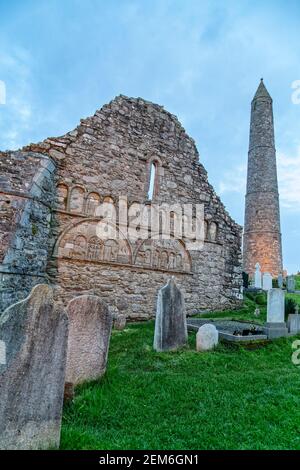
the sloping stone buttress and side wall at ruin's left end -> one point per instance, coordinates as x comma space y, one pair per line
27, 191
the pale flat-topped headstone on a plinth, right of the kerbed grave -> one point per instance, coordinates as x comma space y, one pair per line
275, 326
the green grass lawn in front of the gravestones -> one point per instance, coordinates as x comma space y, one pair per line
231, 398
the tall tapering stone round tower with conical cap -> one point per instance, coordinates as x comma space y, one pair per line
262, 236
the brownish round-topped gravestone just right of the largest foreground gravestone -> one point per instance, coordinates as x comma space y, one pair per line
90, 323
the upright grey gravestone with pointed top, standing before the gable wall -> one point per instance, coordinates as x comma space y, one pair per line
170, 322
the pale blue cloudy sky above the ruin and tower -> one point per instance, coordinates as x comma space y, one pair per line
202, 60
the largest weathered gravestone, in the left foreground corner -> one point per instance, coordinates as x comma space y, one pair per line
32, 376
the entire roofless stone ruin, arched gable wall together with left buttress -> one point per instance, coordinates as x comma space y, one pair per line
109, 155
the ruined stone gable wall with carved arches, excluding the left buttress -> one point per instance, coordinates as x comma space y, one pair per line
110, 155
